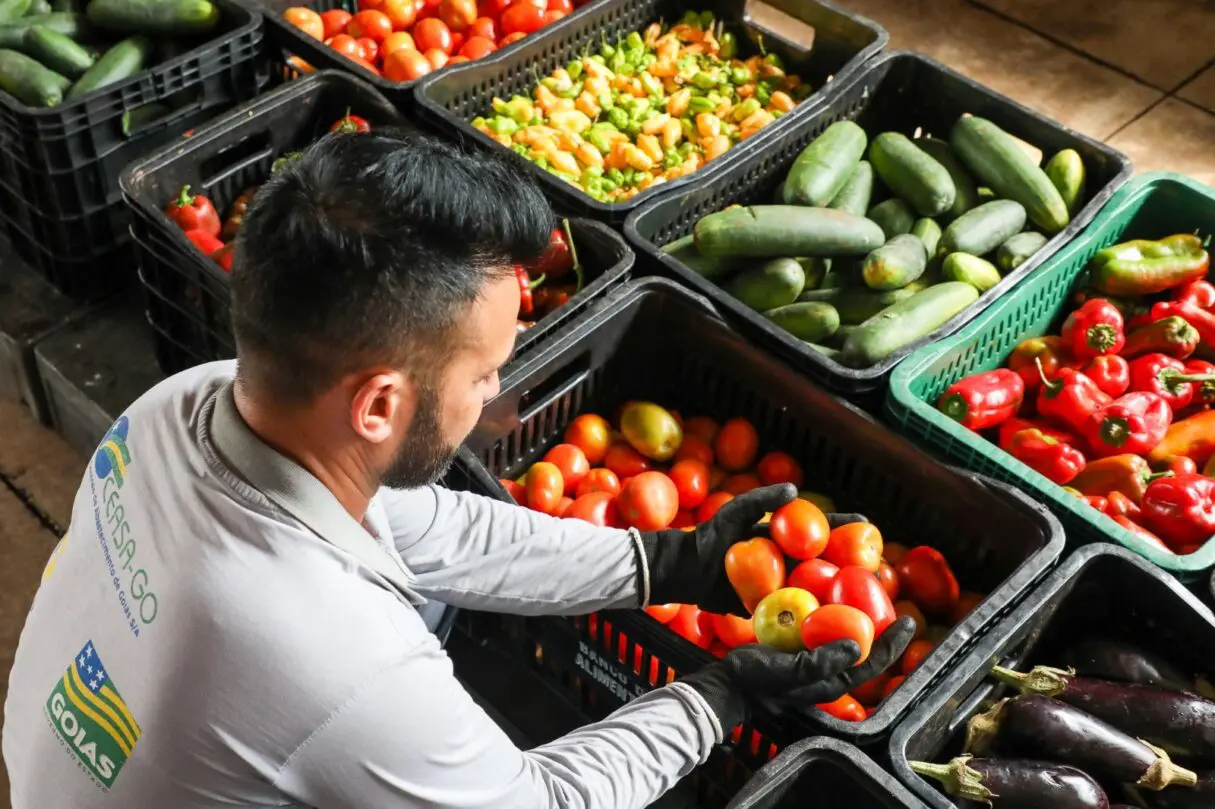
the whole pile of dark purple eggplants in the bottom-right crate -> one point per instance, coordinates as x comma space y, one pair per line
1117, 717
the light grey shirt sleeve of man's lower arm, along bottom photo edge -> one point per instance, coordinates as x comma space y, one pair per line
414, 739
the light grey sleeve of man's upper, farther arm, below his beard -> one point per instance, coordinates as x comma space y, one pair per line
478, 553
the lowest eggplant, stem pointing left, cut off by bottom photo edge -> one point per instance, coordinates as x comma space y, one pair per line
1010, 784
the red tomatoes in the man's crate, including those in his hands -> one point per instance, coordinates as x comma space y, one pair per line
806, 586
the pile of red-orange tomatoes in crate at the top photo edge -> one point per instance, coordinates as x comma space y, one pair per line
404, 41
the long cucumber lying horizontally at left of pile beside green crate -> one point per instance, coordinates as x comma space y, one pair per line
776, 231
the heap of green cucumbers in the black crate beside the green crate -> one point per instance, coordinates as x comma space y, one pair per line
861, 258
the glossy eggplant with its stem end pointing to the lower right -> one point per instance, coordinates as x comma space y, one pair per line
1056, 732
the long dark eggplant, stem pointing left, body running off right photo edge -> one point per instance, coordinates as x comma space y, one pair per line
1180, 723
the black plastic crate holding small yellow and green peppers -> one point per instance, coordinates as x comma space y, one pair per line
450, 100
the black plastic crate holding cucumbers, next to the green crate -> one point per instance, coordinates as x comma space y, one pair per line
898, 92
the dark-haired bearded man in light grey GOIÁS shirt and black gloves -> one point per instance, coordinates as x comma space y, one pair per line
231, 619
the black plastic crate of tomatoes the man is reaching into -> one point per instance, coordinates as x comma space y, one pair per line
654, 341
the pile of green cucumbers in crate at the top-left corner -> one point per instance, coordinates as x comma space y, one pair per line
59, 50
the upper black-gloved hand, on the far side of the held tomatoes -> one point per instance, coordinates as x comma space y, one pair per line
690, 567
